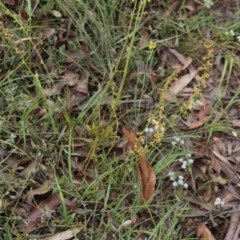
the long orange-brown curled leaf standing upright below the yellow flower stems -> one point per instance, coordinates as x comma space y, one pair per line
147, 174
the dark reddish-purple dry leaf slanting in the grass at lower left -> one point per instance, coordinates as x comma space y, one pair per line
35, 217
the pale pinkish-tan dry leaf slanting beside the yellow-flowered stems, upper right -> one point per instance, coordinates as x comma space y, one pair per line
182, 82
